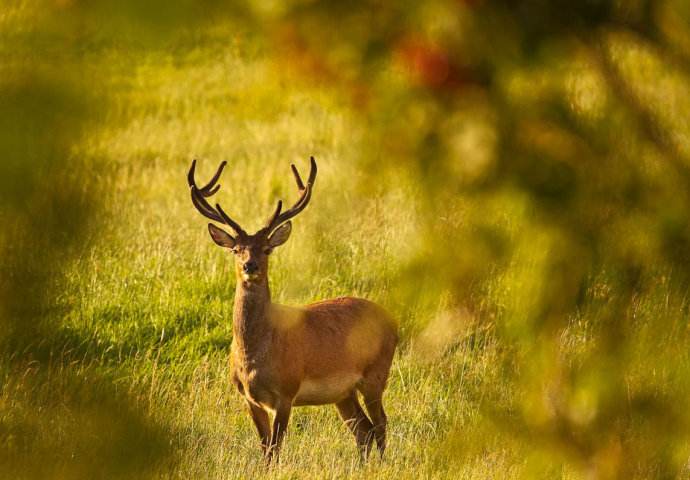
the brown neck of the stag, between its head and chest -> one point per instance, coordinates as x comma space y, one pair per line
251, 326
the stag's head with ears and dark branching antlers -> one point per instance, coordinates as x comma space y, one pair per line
251, 251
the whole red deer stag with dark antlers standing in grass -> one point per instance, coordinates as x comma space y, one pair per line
321, 353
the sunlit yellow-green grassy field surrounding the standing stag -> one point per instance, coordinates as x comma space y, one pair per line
141, 307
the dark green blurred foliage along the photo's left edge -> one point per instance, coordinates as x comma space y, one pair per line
58, 418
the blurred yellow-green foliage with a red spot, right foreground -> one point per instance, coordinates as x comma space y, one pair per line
572, 116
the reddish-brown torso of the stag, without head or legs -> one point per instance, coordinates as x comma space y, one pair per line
309, 355
